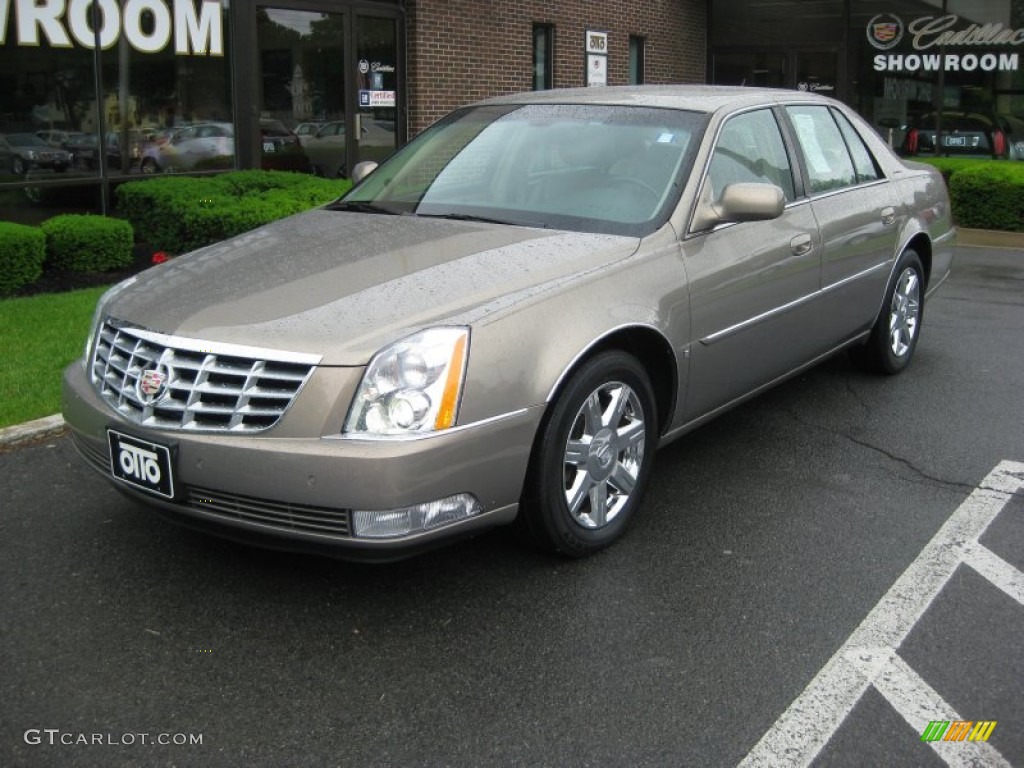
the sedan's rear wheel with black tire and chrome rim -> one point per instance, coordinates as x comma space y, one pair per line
895, 334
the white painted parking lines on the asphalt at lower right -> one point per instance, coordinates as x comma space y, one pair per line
869, 657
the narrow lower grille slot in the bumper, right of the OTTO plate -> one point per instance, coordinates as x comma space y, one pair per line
283, 516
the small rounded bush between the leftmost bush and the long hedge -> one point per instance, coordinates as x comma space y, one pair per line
89, 244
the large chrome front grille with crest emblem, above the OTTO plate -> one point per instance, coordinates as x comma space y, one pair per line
206, 387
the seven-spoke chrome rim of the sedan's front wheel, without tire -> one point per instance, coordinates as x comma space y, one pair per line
604, 455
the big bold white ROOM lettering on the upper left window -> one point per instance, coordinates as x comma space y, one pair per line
147, 25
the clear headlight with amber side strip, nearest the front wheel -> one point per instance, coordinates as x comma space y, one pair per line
413, 386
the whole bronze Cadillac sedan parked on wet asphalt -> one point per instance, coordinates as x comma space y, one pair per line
504, 321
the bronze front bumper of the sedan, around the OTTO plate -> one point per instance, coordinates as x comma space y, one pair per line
298, 493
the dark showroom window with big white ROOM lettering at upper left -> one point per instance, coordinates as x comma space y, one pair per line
106, 82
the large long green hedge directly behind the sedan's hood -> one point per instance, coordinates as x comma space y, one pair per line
183, 214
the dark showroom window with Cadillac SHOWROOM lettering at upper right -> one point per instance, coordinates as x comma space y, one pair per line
932, 89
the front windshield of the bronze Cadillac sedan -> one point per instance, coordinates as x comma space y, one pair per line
587, 168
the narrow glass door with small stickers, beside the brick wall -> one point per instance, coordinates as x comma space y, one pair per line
377, 89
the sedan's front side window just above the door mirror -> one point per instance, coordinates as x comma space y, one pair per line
751, 149
